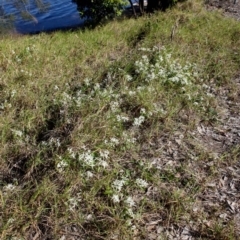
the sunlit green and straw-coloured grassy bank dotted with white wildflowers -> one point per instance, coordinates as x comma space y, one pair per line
98, 128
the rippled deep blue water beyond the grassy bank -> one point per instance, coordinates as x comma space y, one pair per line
59, 14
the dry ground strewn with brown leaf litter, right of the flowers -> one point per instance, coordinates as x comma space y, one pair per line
206, 158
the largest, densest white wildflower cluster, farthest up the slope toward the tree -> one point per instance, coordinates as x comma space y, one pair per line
164, 69
